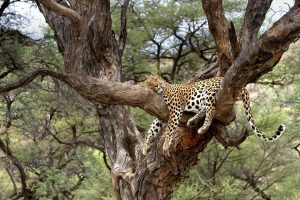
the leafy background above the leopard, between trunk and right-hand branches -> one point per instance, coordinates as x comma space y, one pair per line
172, 35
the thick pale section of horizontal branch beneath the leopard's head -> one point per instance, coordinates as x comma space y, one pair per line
104, 91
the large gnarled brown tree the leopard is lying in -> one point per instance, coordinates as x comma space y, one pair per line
92, 61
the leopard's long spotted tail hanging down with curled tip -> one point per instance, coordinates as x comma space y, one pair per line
246, 102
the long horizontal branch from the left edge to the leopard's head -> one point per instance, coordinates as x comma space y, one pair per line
102, 91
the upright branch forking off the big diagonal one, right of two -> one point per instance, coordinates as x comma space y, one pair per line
255, 14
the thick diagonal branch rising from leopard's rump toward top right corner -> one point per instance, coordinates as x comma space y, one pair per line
259, 58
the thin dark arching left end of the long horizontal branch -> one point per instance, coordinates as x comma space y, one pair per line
31, 76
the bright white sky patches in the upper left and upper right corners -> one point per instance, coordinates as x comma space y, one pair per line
37, 22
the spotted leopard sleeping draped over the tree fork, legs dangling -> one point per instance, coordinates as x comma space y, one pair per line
199, 98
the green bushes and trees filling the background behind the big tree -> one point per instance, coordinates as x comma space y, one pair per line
49, 135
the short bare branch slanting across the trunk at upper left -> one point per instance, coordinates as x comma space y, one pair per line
62, 10
